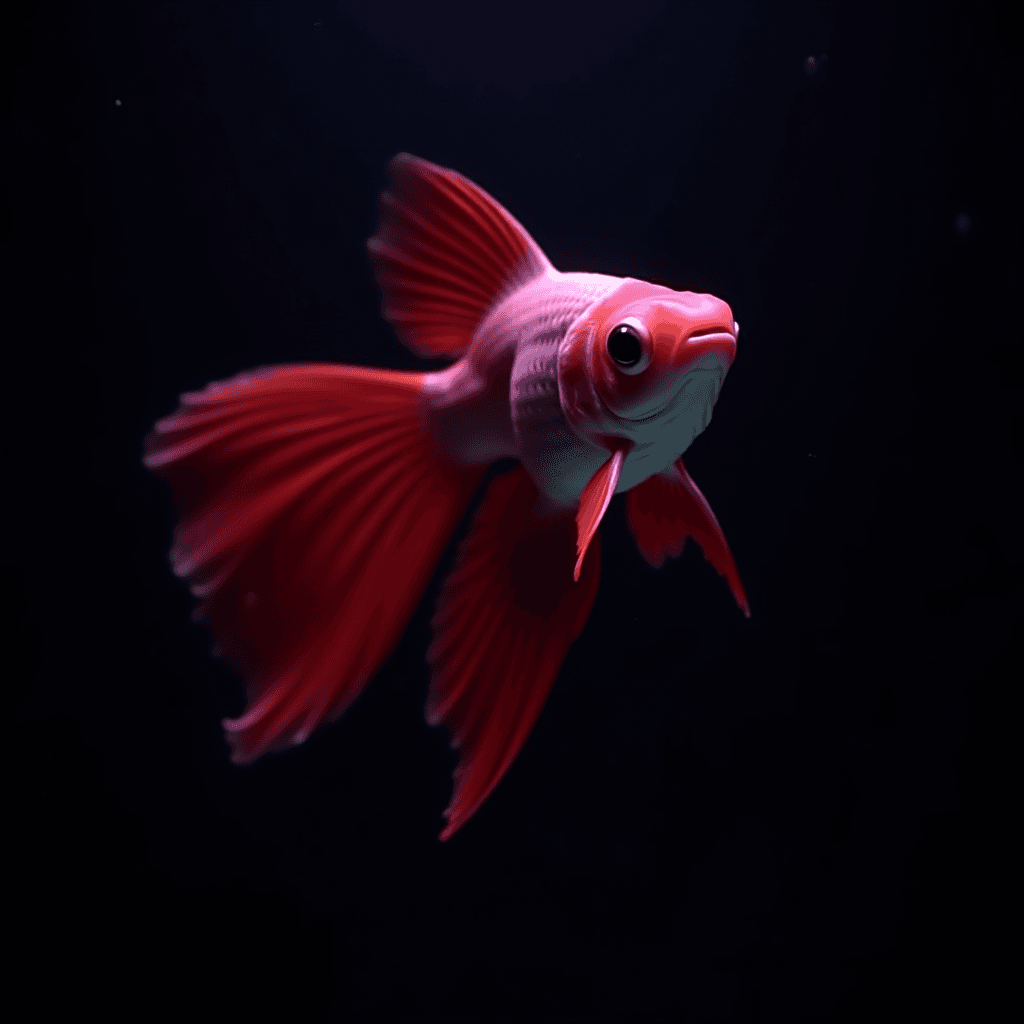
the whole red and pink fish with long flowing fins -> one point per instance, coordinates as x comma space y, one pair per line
316, 501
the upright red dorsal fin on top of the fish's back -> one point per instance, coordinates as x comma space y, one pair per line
444, 252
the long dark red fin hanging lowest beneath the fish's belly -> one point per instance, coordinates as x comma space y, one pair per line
506, 619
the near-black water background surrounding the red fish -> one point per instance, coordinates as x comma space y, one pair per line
801, 818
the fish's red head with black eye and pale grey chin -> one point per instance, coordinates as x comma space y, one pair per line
645, 367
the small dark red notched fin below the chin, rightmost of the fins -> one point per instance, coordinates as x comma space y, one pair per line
665, 510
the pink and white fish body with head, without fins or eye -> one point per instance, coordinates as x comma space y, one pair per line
514, 394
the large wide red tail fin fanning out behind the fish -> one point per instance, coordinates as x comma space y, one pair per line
313, 513
